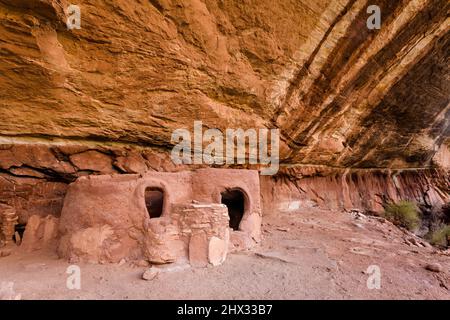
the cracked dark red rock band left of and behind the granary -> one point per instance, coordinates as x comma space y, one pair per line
34, 178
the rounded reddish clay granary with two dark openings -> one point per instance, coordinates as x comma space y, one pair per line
158, 217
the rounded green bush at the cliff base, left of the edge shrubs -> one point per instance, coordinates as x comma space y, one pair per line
403, 213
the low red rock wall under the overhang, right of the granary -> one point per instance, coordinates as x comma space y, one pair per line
298, 188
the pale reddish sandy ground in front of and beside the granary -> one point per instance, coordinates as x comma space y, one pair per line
310, 254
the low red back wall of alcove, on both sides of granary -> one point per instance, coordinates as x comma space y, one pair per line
34, 179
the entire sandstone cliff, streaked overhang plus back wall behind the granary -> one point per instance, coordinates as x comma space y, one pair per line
105, 99
